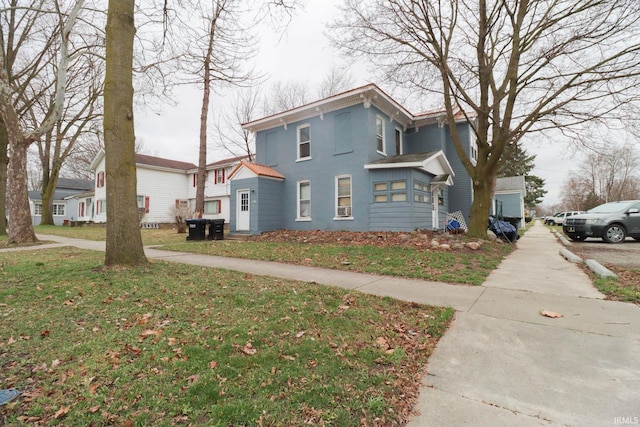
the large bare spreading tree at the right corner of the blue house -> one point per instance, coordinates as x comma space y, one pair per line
511, 68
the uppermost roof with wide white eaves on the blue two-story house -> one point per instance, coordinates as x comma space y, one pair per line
368, 95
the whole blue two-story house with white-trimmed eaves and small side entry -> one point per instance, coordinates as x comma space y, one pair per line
356, 161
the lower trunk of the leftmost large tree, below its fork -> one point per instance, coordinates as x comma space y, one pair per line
20, 224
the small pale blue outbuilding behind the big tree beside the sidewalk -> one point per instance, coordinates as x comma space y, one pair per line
508, 200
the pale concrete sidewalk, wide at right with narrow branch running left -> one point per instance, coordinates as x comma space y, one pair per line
502, 363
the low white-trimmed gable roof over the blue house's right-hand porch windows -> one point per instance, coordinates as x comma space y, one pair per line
433, 162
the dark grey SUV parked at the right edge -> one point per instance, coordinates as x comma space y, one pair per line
612, 222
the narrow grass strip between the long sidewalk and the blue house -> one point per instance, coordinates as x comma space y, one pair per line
452, 266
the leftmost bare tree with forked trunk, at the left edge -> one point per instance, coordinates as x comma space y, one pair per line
14, 85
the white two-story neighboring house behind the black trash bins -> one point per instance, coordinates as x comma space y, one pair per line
165, 186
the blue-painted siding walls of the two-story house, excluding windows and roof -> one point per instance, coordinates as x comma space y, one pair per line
342, 143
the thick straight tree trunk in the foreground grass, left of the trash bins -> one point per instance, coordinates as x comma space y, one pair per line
124, 241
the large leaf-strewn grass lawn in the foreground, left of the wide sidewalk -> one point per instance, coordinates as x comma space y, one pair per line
173, 344
